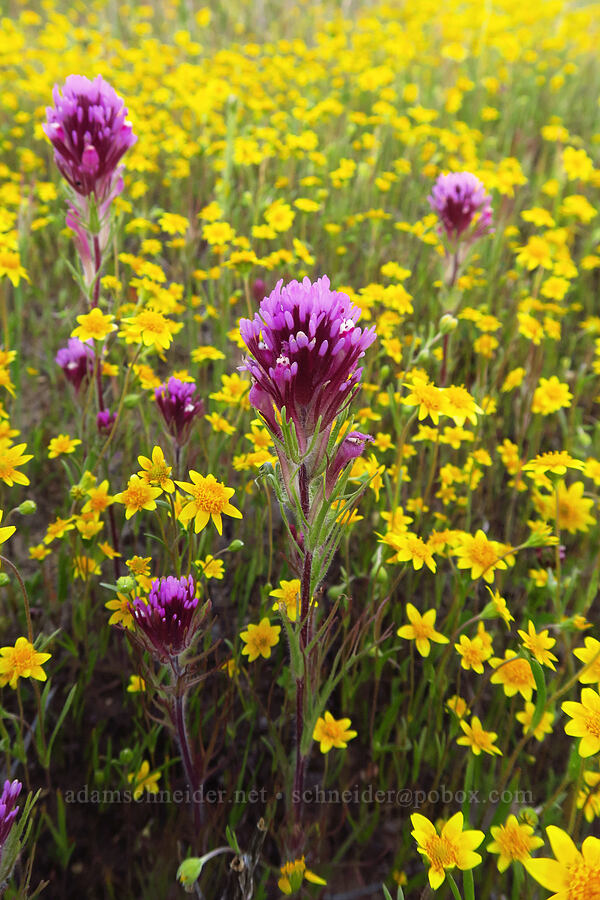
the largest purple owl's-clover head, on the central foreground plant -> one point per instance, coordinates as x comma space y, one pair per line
304, 348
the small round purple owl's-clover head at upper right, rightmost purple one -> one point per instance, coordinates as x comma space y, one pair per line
457, 198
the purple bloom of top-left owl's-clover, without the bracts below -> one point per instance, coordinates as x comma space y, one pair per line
90, 133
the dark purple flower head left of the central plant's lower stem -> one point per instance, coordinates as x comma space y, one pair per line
167, 620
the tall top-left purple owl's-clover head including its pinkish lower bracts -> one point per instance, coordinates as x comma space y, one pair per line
90, 133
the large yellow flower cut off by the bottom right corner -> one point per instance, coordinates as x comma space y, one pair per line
574, 874
